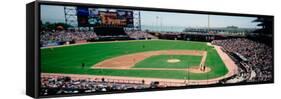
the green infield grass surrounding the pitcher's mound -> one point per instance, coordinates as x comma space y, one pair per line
160, 61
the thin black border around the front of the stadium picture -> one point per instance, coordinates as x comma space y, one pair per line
37, 44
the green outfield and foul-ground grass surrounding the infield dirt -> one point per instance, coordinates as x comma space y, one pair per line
68, 59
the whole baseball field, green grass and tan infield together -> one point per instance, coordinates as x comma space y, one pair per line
164, 59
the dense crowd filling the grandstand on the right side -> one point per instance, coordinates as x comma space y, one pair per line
259, 56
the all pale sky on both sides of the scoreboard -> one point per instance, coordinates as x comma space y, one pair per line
53, 14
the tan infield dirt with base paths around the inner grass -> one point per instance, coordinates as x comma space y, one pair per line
128, 61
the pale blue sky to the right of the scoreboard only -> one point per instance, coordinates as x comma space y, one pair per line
195, 20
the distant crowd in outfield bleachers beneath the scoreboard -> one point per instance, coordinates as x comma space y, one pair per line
78, 35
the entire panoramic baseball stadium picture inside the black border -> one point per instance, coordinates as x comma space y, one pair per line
102, 49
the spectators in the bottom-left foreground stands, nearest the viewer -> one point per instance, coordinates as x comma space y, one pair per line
66, 85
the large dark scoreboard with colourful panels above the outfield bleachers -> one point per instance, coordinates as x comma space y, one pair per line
100, 16
